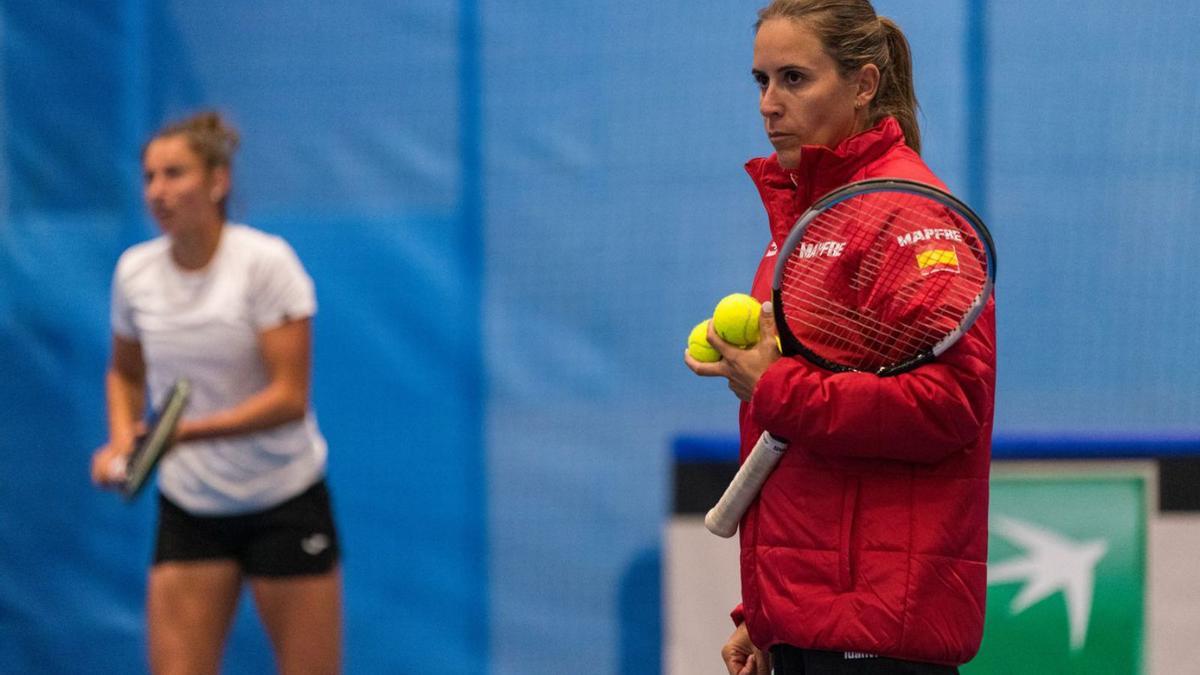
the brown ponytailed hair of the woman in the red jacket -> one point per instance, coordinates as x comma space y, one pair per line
854, 35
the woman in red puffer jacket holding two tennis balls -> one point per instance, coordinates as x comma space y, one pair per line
867, 549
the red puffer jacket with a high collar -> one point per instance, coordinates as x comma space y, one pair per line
872, 534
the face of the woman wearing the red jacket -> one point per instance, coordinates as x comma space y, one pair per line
805, 100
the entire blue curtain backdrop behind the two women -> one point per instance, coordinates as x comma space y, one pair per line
514, 213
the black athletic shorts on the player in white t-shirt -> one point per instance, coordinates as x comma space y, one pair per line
296, 537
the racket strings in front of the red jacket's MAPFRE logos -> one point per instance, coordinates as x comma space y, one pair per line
857, 295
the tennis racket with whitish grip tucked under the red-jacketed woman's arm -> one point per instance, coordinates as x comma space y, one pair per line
879, 277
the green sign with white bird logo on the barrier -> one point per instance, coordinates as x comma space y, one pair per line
1066, 572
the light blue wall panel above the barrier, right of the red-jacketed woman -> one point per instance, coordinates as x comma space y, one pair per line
1094, 192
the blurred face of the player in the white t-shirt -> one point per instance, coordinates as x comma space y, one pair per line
181, 193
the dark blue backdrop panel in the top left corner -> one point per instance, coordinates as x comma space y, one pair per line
63, 83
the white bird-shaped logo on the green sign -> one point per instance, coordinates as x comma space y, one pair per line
1052, 564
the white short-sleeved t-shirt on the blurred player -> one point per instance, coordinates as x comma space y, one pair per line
205, 326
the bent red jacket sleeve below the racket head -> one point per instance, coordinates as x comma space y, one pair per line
921, 416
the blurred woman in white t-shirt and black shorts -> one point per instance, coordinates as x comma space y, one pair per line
243, 493
